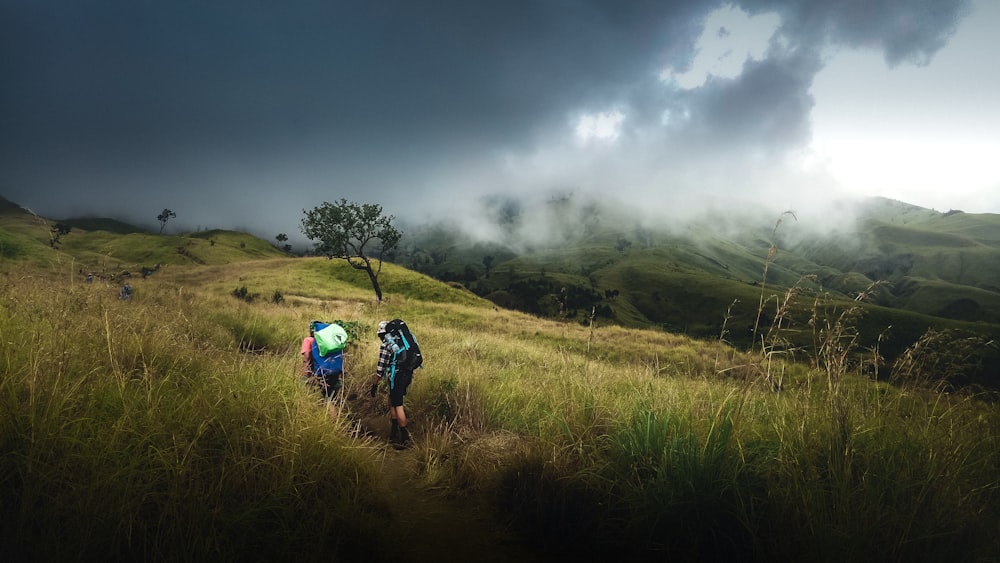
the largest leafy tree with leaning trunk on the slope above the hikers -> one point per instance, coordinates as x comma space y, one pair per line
358, 233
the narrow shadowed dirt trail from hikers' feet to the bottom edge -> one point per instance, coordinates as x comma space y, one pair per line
434, 526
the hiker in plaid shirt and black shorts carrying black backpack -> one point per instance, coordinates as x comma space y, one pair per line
399, 355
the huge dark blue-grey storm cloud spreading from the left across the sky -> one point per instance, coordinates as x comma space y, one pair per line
284, 105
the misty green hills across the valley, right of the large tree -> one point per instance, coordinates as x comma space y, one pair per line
919, 269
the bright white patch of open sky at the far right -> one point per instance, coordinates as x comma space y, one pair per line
926, 135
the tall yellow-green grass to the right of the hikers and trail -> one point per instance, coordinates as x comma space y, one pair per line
699, 451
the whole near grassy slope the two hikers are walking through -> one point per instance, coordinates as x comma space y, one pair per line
175, 426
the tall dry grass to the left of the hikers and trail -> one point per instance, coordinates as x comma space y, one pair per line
140, 430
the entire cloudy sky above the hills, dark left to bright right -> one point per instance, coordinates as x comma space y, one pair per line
240, 114
